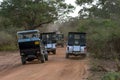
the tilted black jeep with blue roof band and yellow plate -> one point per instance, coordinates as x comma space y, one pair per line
31, 47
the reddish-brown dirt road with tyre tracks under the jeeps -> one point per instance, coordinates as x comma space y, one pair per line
57, 68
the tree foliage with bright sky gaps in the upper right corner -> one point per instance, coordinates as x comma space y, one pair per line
108, 9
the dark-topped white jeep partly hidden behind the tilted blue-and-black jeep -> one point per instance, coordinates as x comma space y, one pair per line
49, 40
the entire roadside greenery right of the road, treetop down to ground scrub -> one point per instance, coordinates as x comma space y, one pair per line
101, 22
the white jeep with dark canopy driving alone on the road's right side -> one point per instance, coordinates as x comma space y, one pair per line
76, 44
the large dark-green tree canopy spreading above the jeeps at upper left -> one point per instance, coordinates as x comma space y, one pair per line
31, 14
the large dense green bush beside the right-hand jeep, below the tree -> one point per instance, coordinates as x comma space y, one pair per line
102, 37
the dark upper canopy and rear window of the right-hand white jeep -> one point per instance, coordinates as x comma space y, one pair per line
76, 39
